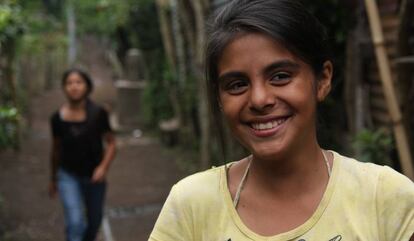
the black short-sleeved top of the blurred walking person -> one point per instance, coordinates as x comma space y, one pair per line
81, 148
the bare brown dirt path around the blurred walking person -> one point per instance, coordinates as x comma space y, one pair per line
138, 183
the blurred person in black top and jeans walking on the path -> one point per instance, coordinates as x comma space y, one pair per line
79, 160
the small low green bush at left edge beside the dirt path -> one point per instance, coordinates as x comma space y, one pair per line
9, 118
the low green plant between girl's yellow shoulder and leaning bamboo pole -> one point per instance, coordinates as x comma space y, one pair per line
374, 146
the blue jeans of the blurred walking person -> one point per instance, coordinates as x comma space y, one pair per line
83, 205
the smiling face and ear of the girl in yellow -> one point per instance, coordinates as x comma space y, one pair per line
268, 95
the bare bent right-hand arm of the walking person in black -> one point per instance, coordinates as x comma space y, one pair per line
109, 154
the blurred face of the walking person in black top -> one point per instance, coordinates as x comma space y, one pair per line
75, 87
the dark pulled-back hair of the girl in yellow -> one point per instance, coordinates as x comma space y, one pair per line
286, 21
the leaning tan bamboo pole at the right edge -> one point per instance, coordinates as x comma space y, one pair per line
389, 91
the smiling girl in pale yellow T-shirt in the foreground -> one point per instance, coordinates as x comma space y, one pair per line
268, 67
